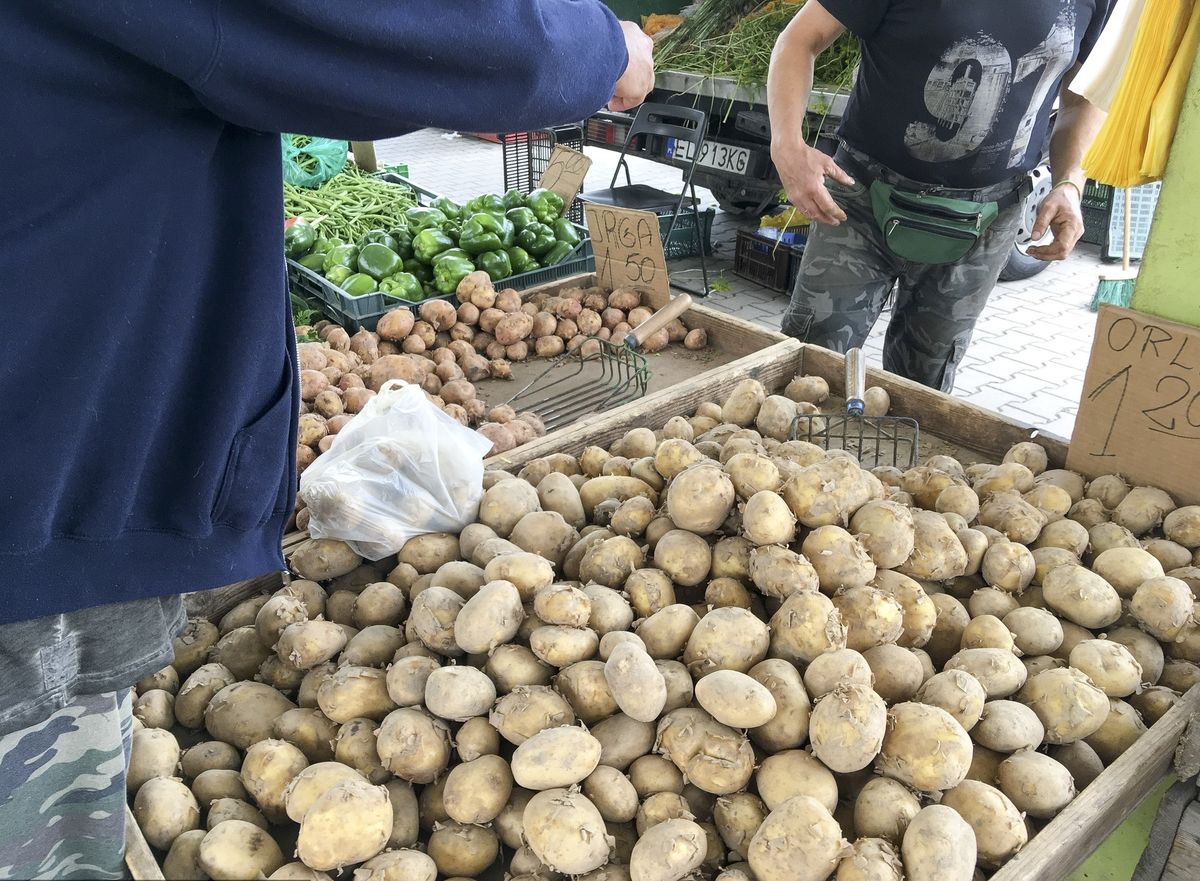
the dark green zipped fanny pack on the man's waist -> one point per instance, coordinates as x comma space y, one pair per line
931, 230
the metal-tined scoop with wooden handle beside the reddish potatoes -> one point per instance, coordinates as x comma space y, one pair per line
578, 385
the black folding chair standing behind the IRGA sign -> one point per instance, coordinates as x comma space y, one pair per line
687, 127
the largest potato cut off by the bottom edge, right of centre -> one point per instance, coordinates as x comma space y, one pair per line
799, 842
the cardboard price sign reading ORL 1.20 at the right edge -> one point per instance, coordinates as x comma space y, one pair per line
1139, 416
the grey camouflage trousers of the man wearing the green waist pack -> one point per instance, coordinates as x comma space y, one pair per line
848, 274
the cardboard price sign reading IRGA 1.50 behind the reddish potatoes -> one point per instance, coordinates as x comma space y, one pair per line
628, 249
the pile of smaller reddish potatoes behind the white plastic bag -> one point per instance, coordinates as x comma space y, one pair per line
447, 351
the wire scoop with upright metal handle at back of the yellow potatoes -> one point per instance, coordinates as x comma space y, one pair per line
874, 441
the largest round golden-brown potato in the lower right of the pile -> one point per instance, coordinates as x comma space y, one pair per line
925, 748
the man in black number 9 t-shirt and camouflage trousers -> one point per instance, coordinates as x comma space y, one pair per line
949, 115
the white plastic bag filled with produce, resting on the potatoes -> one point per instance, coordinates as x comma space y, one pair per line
400, 469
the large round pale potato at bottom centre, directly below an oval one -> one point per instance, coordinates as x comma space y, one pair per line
566, 832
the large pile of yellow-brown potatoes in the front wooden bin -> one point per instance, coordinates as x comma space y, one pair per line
706, 652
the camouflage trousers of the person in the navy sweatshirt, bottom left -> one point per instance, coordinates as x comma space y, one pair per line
63, 793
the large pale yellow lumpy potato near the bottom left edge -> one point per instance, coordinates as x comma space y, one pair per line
350, 824
